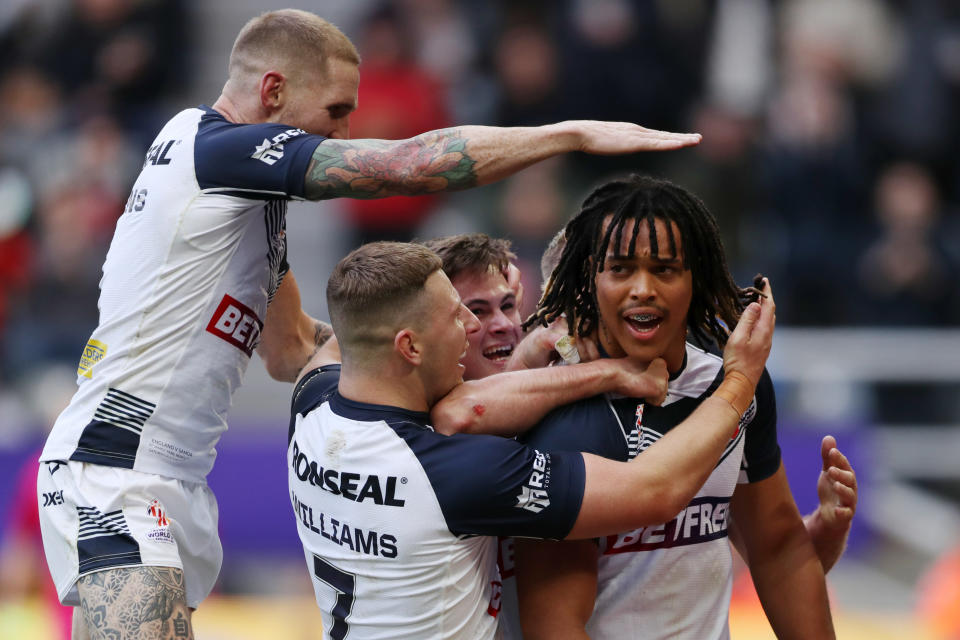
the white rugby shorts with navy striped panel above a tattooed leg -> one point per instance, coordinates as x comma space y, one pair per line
95, 517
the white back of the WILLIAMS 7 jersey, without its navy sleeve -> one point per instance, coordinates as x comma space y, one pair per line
384, 563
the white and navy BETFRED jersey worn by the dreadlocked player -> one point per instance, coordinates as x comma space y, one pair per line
671, 580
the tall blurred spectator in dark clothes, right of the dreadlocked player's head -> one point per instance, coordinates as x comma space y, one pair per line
811, 177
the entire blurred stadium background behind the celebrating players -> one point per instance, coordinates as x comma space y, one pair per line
829, 157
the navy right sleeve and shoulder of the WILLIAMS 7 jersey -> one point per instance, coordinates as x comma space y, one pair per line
487, 485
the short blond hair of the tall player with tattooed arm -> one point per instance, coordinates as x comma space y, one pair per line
290, 39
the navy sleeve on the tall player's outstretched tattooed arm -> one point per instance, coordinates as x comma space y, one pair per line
259, 161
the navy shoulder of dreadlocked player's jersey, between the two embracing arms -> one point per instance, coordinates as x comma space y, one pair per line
587, 425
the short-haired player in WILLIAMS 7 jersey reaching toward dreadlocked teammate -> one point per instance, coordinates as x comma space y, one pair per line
398, 521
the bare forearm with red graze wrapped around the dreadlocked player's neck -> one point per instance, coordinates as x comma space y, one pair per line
511, 402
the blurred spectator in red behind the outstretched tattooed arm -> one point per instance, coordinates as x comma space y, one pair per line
392, 78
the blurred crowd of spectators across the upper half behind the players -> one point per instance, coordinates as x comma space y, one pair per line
829, 128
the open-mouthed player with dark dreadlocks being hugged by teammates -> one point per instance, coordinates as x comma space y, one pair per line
644, 271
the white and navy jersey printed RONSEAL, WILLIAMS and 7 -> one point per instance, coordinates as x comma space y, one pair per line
397, 521
